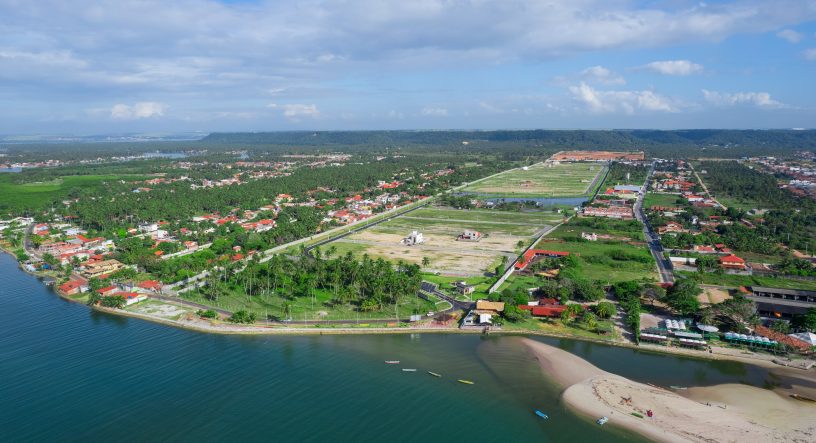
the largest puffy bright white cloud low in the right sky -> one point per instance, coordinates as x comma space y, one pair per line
627, 102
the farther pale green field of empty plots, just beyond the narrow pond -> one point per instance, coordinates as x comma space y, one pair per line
562, 180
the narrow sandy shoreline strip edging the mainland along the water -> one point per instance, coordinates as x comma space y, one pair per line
223, 328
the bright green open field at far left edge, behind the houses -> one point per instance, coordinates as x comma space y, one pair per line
31, 196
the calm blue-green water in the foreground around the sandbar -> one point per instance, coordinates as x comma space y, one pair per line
70, 374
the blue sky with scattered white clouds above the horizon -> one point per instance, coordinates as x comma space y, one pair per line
122, 66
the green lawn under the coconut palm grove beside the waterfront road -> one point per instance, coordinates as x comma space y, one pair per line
304, 308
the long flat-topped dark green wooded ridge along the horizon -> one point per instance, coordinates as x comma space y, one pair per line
706, 142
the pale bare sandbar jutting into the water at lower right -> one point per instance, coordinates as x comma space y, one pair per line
737, 413
